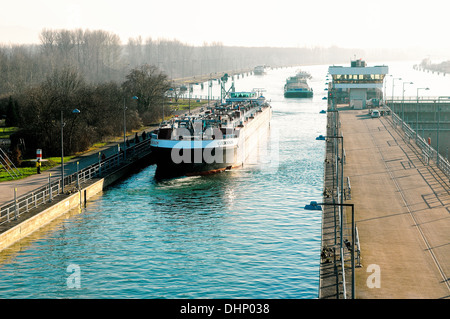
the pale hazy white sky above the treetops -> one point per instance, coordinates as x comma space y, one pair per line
288, 23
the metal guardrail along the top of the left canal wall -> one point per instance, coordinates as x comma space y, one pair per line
45, 194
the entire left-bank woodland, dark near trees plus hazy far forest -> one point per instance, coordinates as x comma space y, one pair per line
92, 70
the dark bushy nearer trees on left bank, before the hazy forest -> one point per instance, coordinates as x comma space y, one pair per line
42, 110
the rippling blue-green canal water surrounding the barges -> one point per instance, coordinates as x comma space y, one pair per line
239, 234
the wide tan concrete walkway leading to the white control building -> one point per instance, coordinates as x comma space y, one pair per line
402, 209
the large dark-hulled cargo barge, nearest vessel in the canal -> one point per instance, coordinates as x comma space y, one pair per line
217, 139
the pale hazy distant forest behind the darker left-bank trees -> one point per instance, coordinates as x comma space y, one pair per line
100, 57
